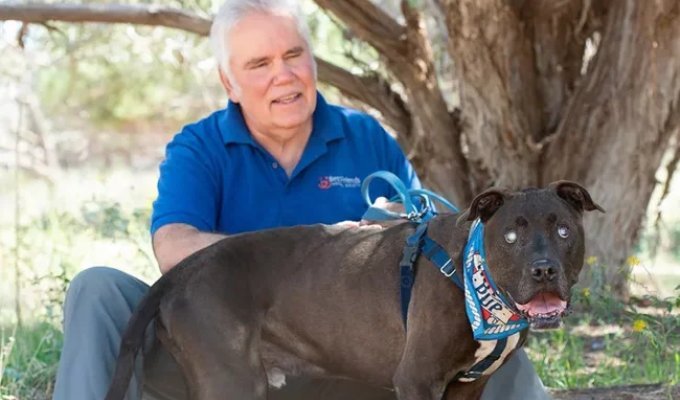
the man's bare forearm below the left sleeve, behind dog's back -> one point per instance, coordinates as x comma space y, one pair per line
173, 243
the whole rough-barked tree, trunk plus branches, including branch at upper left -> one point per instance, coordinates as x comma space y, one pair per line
574, 89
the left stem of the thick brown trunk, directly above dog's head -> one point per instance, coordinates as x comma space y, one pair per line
500, 105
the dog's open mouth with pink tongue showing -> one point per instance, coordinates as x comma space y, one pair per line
544, 311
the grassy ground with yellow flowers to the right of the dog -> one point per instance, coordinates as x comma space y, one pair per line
611, 344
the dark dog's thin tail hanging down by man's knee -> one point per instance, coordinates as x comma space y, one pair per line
132, 340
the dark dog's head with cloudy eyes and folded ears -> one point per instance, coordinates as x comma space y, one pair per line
534, 243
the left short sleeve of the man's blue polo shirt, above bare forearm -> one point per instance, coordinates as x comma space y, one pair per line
188, 188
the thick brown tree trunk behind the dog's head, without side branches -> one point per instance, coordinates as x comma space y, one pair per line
534, 114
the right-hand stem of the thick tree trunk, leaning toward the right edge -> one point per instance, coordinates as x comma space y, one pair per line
618, 124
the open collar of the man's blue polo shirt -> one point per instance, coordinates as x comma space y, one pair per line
326, 125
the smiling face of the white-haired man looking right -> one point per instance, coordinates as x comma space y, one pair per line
273, 74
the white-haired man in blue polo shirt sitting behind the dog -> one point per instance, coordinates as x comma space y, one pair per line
278, 155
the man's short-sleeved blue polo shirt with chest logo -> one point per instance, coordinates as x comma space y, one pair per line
217, 178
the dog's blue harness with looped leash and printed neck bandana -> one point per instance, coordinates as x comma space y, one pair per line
496, 326
